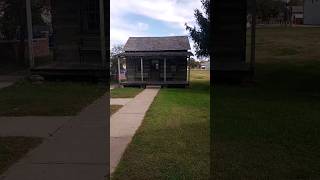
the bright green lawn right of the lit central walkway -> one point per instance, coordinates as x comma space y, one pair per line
173, 141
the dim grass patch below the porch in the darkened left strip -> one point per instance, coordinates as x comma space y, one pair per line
50, 98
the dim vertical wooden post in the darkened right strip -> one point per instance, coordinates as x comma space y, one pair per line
253, 37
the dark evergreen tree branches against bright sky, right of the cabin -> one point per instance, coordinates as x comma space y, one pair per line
201, 35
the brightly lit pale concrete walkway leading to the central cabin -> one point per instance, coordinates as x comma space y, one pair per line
125, 122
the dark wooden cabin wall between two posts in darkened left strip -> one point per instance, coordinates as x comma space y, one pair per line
71, 35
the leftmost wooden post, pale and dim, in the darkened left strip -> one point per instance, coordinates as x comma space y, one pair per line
30, 33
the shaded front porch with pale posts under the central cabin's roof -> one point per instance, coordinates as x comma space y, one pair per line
164, 71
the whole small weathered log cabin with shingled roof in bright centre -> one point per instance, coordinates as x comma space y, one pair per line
157, 61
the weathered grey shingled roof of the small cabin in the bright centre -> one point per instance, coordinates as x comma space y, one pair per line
168, 43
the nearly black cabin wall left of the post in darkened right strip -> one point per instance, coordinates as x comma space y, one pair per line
229, 31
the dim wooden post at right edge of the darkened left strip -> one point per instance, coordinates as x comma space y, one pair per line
102, 34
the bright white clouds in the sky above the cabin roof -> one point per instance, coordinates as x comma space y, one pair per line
173, 12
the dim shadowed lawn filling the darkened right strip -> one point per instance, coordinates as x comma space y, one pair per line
272, 130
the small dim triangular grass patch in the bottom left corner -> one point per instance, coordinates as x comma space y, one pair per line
14, 148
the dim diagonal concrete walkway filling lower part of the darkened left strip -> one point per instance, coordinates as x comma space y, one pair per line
77, 151
